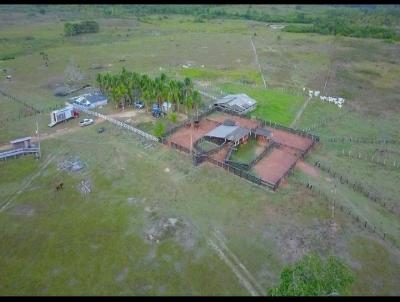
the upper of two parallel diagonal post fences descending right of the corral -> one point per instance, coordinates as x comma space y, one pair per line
391, 205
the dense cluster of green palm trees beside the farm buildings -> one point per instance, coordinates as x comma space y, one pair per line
124, 88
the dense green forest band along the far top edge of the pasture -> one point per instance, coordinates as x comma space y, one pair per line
369, 21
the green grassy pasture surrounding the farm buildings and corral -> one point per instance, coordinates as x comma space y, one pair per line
105, 242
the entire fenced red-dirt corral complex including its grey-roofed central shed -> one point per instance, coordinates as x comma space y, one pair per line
219, 134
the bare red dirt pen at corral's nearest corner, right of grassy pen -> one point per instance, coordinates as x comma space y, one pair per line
272, 167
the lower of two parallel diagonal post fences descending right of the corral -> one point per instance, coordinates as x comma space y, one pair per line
363, 223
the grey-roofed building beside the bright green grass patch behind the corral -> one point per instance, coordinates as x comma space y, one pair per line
239, 103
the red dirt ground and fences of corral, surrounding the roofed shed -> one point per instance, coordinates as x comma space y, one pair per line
272, 165
